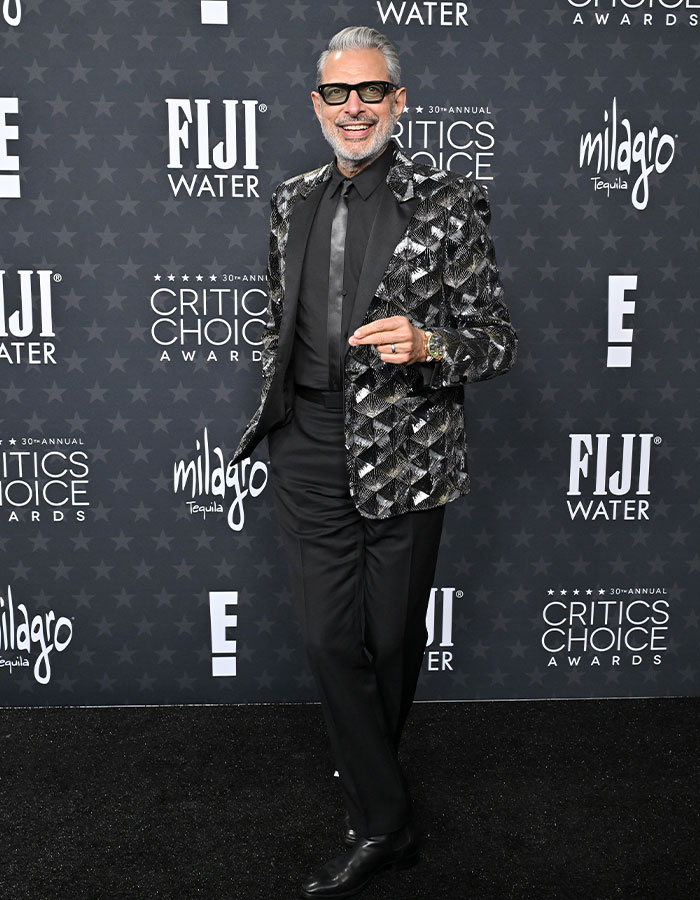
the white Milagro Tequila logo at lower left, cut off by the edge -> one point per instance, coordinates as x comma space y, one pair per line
21, 634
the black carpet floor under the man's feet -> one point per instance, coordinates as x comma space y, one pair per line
589, 799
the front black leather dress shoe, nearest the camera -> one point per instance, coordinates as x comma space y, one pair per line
349, 873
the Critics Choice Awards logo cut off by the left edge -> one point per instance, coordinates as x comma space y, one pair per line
43, 477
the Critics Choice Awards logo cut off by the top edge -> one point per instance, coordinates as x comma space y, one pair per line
627, 12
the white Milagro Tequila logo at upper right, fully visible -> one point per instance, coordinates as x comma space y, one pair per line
615, 152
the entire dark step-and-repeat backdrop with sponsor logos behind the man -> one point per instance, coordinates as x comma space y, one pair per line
140, 141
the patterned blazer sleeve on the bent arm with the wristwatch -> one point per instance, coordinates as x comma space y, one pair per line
479, 340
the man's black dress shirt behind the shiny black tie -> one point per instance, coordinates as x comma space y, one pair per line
311, 339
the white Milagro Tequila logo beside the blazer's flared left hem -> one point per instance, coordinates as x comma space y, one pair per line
210, 476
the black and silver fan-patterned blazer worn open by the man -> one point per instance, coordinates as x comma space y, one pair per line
430, 258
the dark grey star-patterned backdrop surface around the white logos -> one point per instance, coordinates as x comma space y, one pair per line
134, 574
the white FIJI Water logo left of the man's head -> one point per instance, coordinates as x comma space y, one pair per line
191, 124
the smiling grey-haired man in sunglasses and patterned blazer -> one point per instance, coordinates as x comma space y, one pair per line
384, 300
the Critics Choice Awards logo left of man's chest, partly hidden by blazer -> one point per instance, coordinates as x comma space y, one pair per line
208, 318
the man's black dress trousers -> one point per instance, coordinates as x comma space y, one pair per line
361, 589
